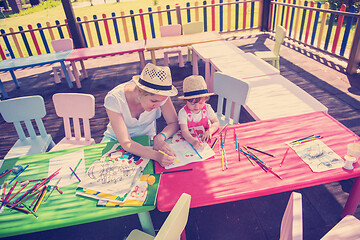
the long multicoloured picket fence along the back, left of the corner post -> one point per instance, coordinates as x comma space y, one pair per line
229, 16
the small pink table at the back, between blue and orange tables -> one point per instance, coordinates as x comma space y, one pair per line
102, 51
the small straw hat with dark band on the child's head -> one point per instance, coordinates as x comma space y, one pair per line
194, 86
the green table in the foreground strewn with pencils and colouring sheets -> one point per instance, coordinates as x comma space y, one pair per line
67, 209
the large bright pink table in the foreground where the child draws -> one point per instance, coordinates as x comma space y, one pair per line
208, 184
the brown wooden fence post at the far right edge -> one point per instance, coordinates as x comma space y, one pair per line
354, 56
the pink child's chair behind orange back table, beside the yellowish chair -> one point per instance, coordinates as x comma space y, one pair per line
169, 31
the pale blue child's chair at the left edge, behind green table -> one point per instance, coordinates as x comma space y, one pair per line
26, 109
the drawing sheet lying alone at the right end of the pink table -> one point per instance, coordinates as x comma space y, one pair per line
317, 155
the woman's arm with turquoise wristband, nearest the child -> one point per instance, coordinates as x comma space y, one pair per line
172, 127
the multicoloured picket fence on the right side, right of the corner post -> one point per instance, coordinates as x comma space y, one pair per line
321, 26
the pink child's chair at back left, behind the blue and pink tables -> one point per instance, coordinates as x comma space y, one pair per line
58, 46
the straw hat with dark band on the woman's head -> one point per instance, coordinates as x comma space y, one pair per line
156, 79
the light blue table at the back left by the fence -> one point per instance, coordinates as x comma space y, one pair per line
16, 63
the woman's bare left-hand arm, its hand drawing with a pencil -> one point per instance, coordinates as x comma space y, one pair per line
122, 135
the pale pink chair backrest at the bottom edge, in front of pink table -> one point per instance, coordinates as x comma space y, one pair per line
291, 224
